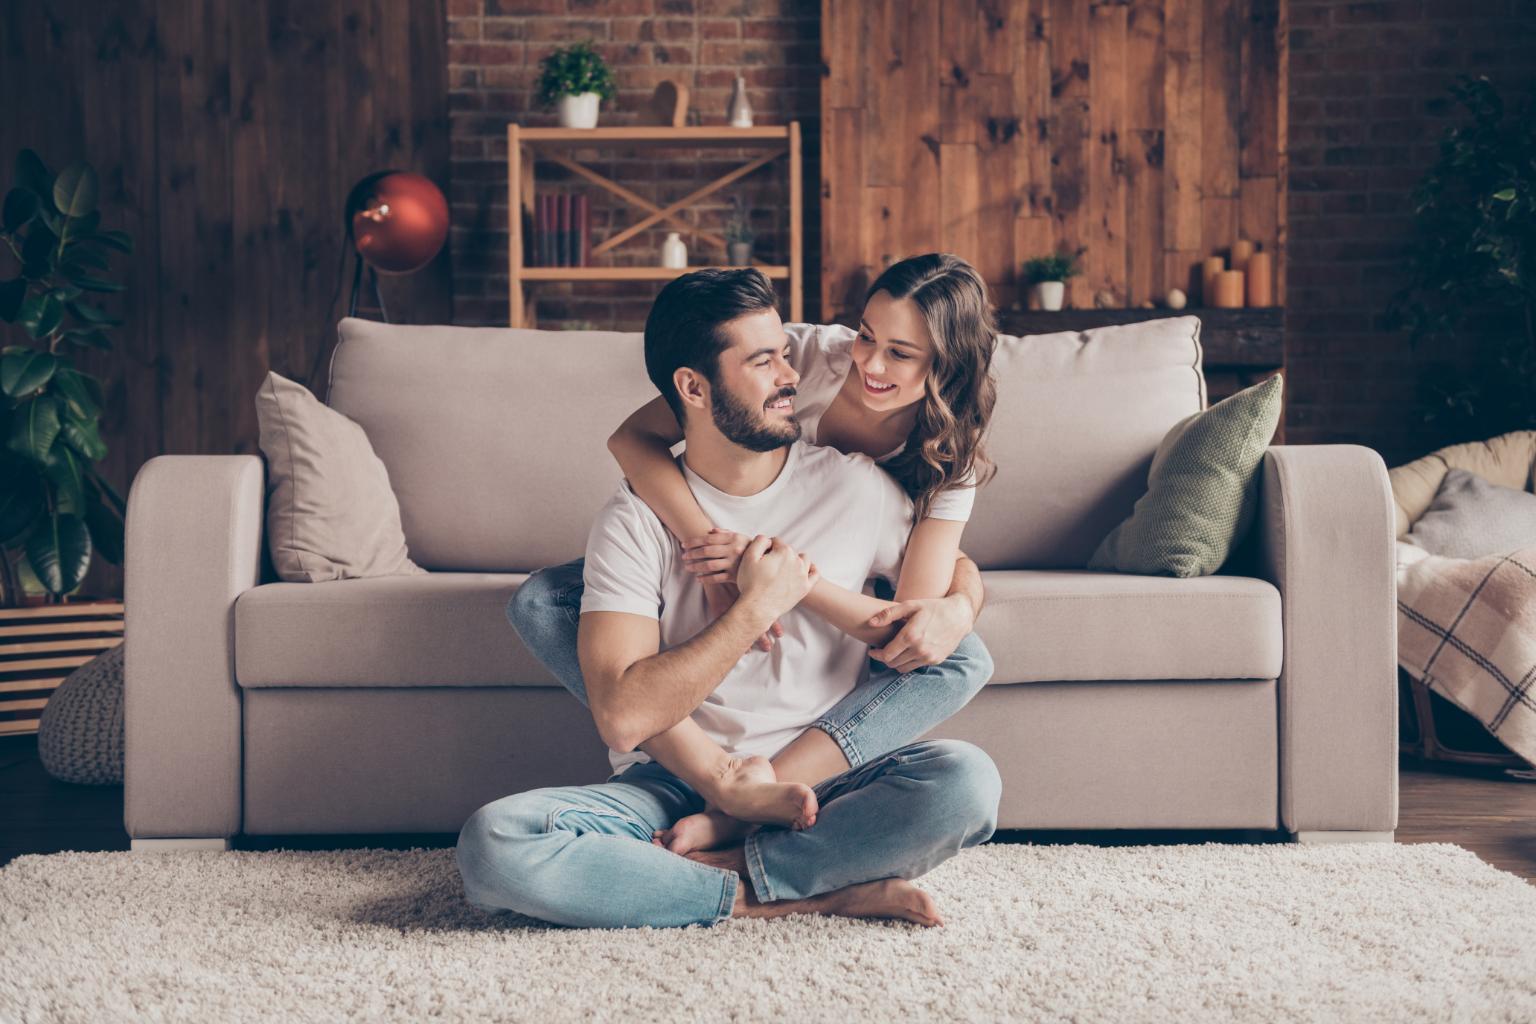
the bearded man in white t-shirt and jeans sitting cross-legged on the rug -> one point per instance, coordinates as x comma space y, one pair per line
650, 656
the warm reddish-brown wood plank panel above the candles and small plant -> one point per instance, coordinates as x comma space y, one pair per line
1148, 131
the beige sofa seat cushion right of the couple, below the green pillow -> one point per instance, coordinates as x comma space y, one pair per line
1059, 626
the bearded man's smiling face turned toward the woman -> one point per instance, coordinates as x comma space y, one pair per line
752, 400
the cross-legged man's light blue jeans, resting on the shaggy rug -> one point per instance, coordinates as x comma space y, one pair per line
583, 856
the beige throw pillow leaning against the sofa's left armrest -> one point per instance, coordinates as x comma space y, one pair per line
331, 512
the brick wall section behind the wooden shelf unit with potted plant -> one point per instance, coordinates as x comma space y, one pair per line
494, 62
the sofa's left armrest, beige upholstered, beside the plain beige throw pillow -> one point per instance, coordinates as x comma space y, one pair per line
193, 547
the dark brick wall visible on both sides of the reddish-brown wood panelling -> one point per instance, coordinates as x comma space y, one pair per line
1368, 108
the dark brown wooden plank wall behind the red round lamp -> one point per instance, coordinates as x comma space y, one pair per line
227, 139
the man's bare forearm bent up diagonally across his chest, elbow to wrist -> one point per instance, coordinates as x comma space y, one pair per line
660, 692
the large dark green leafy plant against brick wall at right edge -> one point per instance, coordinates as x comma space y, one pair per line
1472, 266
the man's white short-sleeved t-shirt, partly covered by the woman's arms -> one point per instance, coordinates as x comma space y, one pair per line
839, 510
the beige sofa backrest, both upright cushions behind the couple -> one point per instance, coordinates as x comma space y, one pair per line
495, 438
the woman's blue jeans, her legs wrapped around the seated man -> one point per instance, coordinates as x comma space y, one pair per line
886, 712
